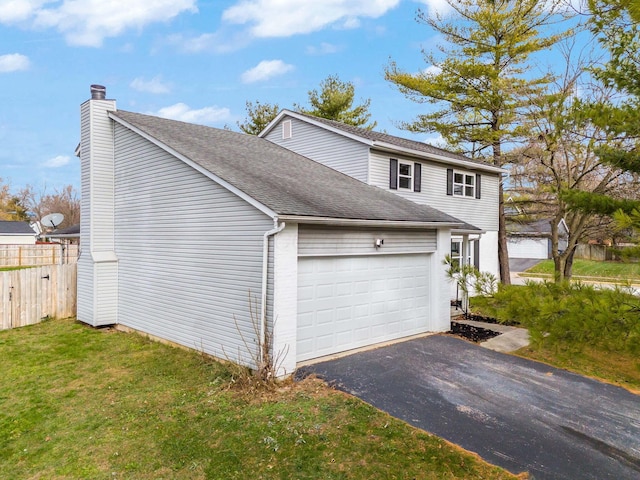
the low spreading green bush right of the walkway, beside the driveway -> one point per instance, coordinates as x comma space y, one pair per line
569, 316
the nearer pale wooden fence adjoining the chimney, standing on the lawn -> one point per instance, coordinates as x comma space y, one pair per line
30, 295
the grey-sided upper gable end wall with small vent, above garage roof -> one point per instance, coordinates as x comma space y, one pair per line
340, 153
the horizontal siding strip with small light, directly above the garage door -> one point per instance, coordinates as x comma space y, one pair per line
328, 241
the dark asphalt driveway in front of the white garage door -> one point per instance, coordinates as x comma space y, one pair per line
519, 414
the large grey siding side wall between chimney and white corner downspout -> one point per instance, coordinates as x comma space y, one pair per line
190, 253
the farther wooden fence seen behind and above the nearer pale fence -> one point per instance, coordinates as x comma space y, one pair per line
39, 254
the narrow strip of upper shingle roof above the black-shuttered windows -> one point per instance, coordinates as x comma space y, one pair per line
405, 143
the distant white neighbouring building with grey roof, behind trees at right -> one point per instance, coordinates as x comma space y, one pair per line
533, 239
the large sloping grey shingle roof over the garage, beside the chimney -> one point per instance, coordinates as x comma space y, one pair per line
283, 181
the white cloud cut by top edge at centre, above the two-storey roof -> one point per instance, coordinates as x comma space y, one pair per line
284, 18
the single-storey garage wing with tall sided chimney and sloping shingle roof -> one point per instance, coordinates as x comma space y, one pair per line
210, 239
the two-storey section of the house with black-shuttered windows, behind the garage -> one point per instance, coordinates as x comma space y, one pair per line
427, 175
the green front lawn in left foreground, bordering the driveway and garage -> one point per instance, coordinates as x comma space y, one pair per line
77, 402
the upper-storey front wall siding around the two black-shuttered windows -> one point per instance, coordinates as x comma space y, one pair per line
482, 212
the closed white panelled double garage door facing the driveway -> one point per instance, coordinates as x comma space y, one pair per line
350, 302
